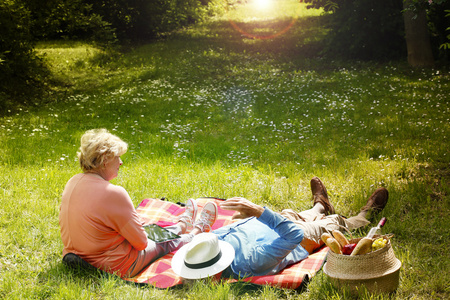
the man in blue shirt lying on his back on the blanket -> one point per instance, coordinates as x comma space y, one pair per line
266, 242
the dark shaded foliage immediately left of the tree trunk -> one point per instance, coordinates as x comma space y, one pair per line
364, 29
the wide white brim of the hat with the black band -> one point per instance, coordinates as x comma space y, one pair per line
182, 270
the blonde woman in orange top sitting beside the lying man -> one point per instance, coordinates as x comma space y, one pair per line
98, 220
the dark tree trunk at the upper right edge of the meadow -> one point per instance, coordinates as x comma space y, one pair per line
417, 36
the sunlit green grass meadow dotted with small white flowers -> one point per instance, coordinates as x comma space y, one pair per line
208, 111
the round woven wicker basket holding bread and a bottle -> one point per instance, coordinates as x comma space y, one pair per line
378, 271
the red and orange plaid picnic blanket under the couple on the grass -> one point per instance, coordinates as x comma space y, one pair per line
161, 275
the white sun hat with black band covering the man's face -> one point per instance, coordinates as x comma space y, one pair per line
204, 256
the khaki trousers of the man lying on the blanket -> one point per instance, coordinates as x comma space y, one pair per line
314, 224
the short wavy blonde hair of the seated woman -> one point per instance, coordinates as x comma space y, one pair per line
97, 147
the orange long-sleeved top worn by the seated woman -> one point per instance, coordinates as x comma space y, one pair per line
99, 223
